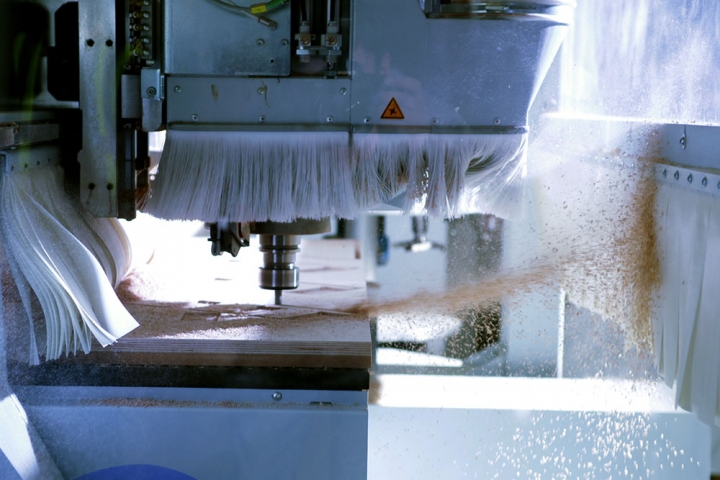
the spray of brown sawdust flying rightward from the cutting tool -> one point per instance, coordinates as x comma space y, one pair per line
591, 232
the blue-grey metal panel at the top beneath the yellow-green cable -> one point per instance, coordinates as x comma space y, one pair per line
203, 38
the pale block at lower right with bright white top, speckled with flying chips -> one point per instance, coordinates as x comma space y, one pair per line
503, 428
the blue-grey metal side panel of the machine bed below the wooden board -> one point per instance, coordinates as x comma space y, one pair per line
207, 434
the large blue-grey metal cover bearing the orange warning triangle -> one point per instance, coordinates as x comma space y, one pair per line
446, 72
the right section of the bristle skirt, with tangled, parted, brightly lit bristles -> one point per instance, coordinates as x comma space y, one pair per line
442, 175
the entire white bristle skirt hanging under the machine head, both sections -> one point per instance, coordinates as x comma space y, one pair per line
230, 176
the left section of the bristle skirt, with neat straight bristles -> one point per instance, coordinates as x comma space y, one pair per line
252, 176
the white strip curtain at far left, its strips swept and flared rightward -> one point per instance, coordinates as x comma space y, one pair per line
71, 260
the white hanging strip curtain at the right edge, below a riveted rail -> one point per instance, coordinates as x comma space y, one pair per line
687, 330
